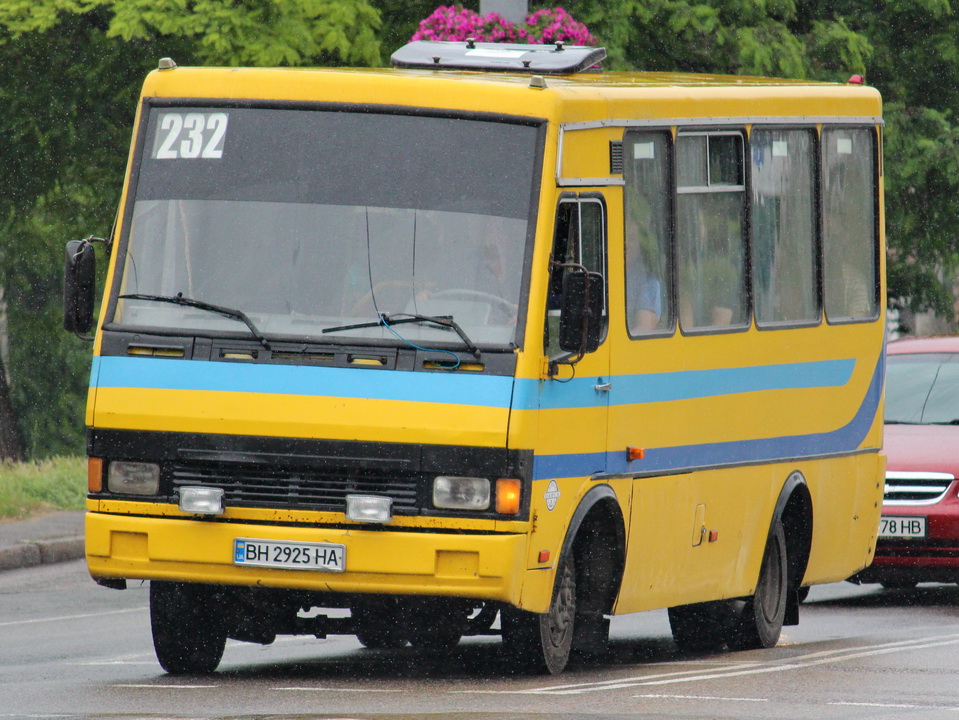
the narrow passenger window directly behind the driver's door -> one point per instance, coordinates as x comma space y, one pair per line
646, 170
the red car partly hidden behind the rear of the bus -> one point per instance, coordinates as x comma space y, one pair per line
919, 530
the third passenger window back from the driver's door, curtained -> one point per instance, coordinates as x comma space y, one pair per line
783, 213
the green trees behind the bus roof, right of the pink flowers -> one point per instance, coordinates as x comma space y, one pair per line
908, 49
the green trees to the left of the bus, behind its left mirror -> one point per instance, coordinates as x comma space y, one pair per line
72, 72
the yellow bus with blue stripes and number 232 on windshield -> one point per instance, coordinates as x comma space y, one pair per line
487, 342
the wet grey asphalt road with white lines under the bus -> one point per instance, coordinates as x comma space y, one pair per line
70, 649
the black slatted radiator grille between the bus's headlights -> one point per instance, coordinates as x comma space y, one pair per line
265, 486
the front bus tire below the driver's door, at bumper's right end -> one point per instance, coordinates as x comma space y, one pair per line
541, 643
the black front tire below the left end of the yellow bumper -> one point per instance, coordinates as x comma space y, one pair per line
188, 636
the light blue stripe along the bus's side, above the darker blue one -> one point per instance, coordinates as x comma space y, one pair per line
681, 385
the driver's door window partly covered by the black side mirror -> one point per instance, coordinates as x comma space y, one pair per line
580, 239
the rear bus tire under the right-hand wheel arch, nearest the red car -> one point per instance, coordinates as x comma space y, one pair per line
758, 622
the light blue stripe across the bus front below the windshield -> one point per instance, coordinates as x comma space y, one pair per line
162, 374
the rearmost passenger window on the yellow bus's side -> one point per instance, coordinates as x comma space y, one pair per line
849, 229
